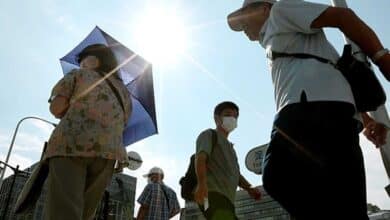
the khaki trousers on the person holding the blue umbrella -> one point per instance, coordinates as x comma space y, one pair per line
76, 186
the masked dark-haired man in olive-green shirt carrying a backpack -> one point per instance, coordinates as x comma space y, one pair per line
217, 169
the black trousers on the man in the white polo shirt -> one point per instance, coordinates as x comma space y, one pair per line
325, 179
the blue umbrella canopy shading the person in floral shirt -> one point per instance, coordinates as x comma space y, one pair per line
137, 77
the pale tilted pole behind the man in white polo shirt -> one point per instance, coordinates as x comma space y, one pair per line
380, 115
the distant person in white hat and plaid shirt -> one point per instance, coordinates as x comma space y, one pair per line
158, 201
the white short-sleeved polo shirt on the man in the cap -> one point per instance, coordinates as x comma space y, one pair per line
288, 29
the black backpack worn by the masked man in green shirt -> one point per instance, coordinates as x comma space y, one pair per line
189, 181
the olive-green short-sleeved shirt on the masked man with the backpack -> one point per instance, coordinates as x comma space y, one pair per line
223, 171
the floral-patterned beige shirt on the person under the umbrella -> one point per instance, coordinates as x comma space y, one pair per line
93, 125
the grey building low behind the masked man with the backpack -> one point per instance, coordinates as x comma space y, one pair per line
246, 208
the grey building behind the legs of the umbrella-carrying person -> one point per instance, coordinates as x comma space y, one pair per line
117, 203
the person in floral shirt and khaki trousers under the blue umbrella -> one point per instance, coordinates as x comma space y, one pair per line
84, 147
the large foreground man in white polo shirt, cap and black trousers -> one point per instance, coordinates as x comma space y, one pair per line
314, 166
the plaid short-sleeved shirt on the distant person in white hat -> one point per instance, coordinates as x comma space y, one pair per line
153, 196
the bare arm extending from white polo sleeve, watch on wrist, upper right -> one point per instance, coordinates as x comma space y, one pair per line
356, 30
